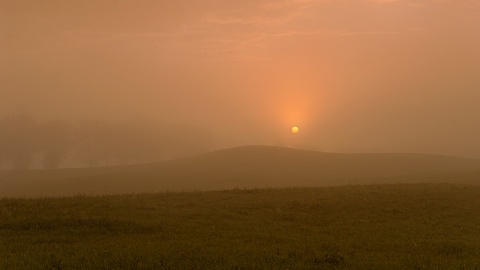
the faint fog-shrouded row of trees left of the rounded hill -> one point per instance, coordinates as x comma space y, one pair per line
25, 141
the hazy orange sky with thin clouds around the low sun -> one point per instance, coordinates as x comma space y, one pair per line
354, 75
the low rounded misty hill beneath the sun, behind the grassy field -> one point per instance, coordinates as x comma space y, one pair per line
243, 167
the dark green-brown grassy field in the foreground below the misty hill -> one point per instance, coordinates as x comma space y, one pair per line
417, 226
